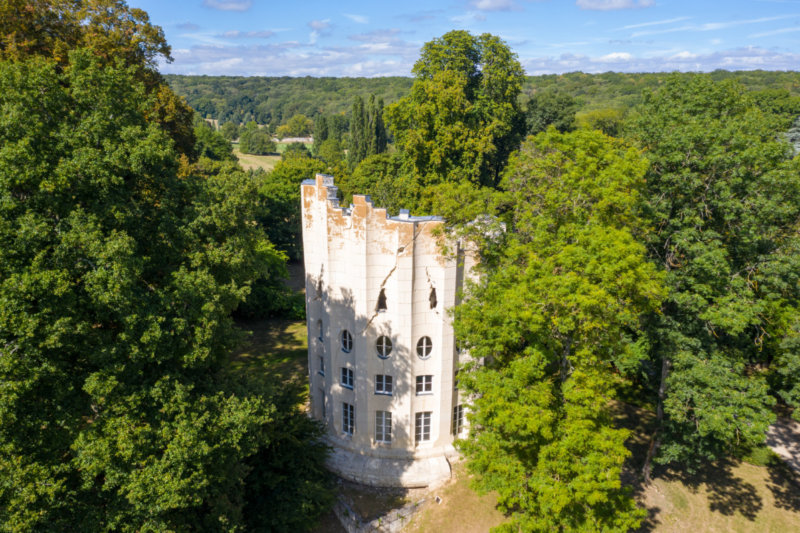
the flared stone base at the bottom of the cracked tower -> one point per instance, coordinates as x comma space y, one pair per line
389, 472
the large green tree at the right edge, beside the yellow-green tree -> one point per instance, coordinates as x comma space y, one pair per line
724, 199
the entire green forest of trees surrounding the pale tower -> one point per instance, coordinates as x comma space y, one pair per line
639, 243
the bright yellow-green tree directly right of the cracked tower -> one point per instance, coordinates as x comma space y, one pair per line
552, 320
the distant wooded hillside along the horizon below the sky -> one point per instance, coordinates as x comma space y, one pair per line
274, 100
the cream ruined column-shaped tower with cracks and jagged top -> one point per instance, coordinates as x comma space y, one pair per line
381, 351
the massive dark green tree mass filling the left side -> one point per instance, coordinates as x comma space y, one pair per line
119, 269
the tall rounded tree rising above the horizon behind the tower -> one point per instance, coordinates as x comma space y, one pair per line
461, 120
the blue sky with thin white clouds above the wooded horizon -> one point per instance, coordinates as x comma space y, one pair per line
356, 38
